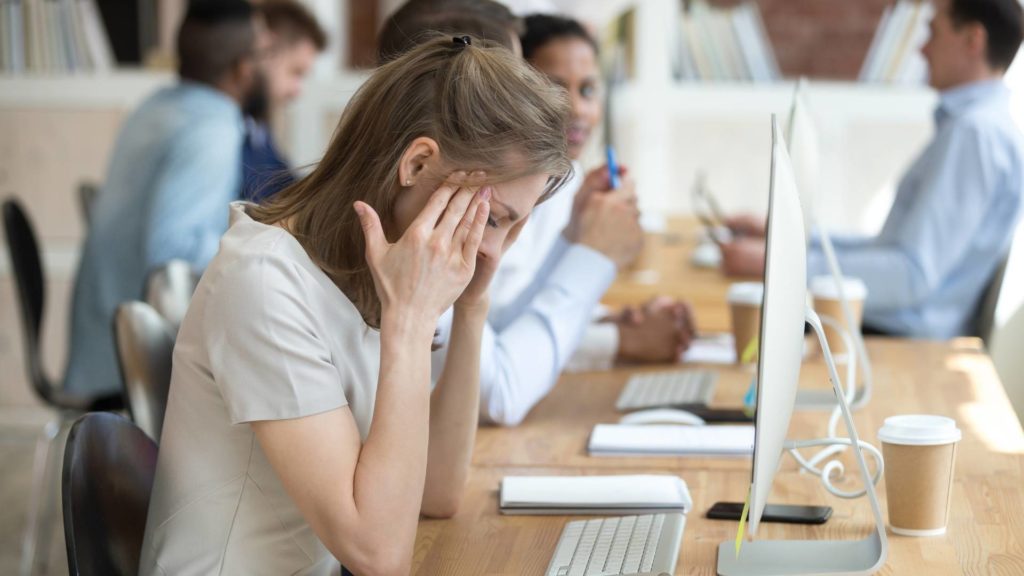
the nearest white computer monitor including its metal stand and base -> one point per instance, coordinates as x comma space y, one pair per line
784, 314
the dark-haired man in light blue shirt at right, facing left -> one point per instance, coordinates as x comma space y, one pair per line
958, 207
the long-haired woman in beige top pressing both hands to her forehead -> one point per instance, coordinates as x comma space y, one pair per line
317, 319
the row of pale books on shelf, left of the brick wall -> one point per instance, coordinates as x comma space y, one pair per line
724, 45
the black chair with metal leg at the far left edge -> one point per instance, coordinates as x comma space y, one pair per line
28, 270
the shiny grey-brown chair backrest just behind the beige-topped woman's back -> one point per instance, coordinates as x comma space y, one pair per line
146, 344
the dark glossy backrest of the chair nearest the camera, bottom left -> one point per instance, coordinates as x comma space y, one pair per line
109, 468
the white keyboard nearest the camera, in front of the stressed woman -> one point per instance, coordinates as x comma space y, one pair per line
629, 545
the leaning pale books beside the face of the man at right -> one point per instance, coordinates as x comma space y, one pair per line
894, 56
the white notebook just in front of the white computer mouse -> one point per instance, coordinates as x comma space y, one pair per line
671, 440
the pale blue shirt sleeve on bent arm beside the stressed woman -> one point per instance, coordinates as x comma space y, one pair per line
523, 355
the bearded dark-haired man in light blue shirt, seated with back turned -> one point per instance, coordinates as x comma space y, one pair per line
175, 171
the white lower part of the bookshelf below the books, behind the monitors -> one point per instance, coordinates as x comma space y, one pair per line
722, 131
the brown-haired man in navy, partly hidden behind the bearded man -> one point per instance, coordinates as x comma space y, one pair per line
295, 42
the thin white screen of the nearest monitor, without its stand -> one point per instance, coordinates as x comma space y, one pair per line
782, 339
